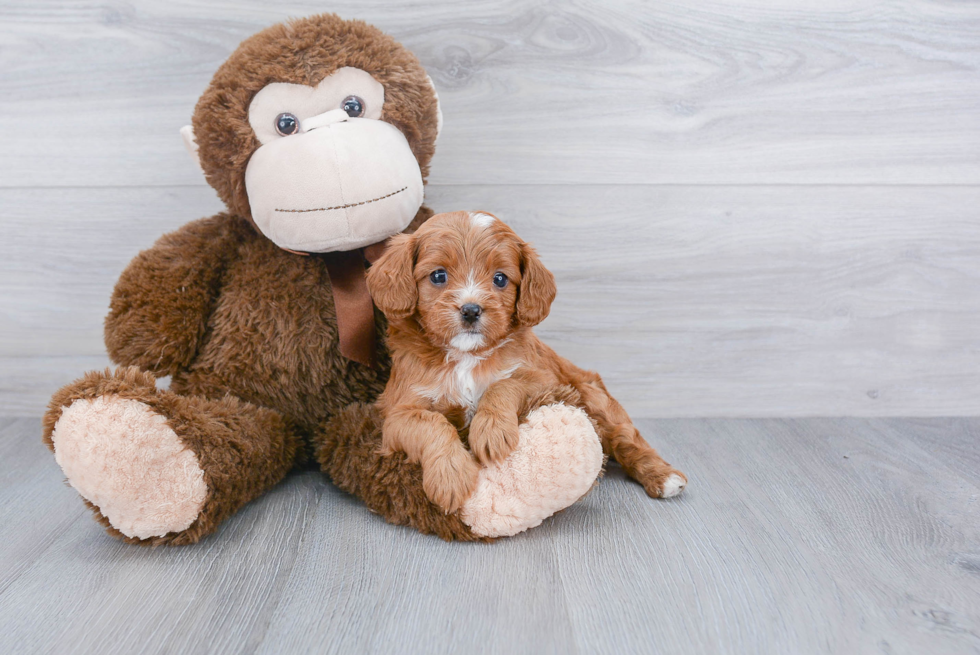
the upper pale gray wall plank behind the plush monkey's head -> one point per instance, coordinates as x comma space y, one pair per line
622, 91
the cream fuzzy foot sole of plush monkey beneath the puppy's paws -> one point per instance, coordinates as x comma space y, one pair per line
556, 462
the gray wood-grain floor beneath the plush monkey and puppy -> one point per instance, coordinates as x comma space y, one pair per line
795, 536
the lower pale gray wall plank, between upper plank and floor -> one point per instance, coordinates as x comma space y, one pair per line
690, 300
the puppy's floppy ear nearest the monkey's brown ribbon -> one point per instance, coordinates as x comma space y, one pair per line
391, 279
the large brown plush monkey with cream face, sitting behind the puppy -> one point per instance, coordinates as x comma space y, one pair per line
317, 134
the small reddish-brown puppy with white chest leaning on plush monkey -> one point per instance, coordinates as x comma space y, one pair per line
461, 296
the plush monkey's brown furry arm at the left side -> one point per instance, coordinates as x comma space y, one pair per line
161, 304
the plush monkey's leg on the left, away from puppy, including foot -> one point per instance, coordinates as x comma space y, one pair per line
160, 468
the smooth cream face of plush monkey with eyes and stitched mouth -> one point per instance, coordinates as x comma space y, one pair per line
329, 175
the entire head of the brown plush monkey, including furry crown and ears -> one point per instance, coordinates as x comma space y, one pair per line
319, 131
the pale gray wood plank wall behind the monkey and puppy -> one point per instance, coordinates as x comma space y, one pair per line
752, 208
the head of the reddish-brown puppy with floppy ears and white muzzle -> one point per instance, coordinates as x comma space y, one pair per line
467, 277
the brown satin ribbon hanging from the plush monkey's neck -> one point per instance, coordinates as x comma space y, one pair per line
353, 304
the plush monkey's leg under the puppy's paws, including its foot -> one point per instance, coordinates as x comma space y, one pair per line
556, 462
